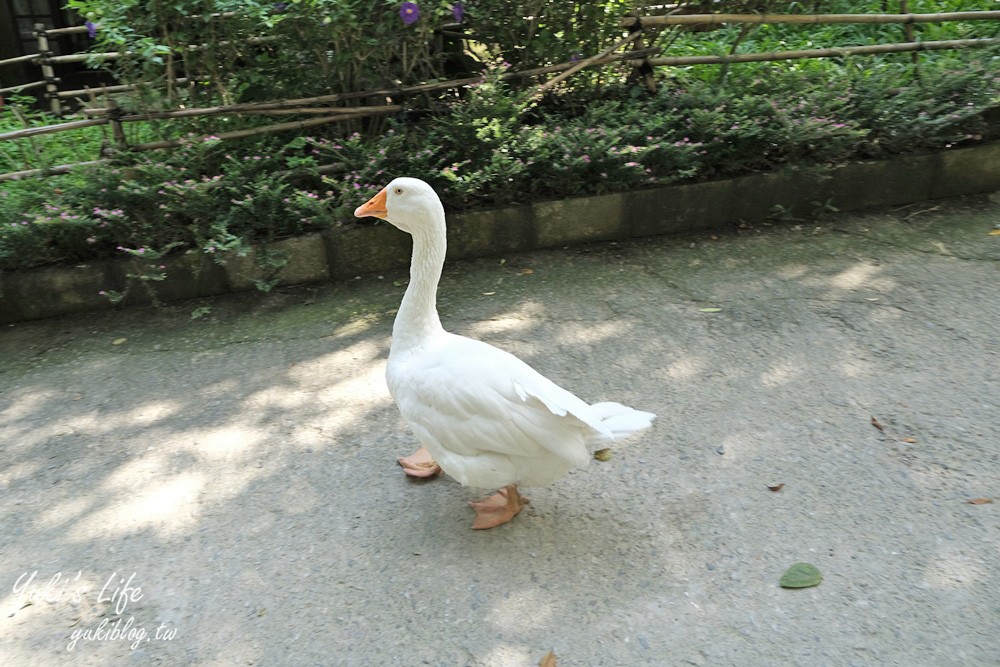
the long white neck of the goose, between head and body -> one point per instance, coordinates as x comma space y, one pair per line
417, 319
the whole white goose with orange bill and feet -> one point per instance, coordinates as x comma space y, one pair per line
486, 417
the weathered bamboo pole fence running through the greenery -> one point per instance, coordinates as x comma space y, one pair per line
639, 57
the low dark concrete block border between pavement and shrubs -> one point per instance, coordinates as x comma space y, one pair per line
360, 249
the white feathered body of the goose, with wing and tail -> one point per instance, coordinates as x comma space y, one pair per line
490, 420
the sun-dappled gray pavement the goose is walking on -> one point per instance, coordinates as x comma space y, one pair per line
222, 490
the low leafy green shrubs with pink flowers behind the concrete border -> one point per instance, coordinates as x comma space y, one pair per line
492, 146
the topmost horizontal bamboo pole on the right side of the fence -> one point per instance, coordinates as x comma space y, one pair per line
713, 19
